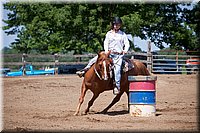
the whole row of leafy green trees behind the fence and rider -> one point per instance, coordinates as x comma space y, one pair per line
49, 28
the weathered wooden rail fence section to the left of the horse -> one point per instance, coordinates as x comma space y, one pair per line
44, 60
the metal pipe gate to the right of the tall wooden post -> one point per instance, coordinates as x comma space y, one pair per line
175, 64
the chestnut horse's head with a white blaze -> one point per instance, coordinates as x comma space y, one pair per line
103, 66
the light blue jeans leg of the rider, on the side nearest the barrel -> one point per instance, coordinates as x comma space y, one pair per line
117, 61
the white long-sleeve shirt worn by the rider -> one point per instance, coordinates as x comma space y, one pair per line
116, 42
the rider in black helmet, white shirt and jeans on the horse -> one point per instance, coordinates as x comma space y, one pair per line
117, 43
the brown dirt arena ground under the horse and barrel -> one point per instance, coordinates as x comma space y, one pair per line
47, 103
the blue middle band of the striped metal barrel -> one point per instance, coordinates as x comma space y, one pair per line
142, 97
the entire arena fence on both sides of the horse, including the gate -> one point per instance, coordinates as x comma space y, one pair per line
172, 64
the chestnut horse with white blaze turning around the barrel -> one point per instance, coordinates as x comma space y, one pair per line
99, 79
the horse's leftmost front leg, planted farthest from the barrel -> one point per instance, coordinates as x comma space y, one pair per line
81, 99
